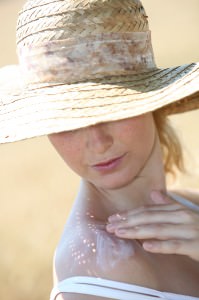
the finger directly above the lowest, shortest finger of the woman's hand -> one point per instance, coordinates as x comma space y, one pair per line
159, 232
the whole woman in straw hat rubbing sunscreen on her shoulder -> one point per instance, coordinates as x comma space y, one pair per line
91, 84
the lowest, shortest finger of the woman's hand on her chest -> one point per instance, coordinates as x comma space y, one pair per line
183, 247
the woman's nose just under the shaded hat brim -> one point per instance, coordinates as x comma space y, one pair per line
99, 138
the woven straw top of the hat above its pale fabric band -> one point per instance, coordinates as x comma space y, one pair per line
46, 20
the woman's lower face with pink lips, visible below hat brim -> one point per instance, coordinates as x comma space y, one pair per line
109, 155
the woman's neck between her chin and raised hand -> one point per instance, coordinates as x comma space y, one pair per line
101, 203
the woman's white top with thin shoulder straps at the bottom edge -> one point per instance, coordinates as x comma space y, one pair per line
118, 290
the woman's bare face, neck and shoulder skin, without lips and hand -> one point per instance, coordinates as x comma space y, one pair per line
86, 247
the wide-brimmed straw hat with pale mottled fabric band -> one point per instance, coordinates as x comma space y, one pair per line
82, 62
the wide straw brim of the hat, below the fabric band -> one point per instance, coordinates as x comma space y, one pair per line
30, 111
